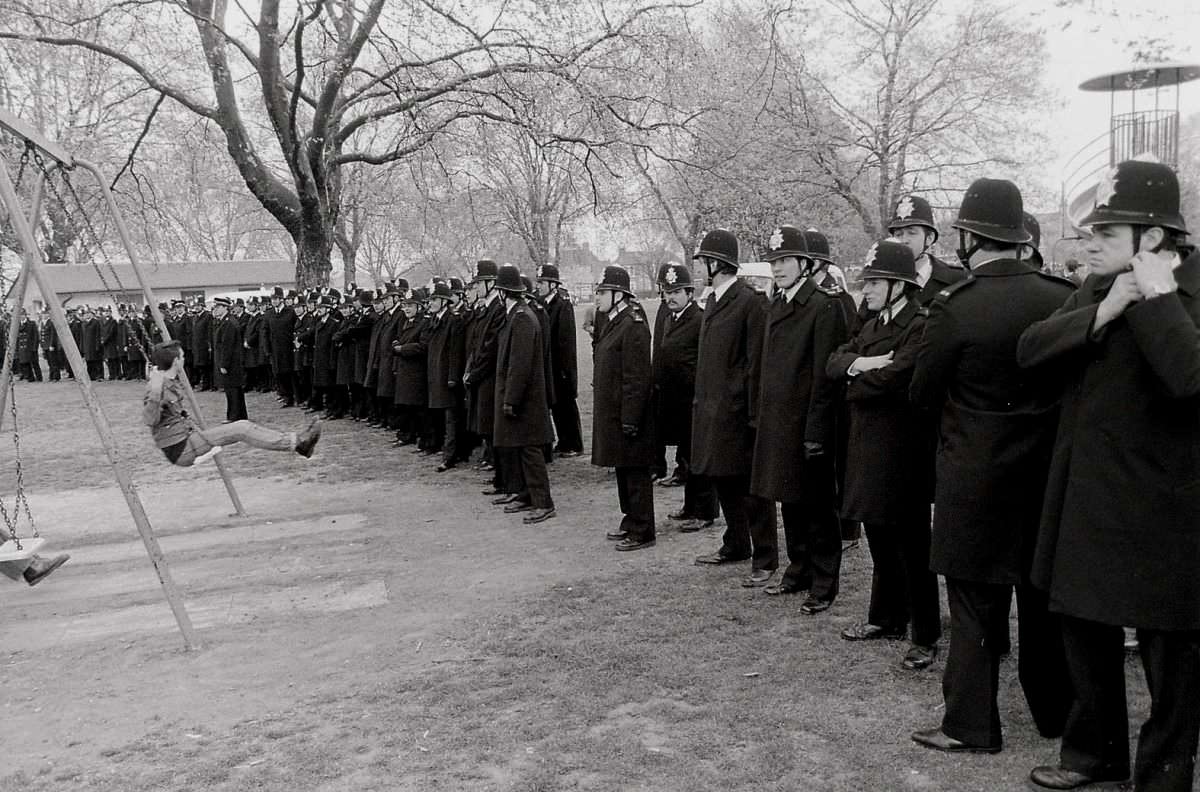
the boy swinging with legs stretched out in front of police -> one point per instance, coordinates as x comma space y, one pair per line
184, 443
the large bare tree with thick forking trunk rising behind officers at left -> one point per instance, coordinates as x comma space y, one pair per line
340, 82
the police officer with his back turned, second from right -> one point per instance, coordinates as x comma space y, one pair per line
997, 433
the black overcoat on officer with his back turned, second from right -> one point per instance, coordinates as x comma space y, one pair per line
997, 421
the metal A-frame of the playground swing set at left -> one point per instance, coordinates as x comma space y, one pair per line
33, 268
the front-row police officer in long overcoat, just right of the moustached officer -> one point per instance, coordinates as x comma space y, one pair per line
723, 434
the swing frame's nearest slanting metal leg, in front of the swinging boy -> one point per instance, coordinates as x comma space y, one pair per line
32, 267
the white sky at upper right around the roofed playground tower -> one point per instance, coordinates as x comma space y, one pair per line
1088, 41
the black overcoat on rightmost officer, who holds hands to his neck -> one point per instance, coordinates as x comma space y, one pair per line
1120, 541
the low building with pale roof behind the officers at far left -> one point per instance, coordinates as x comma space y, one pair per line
80, 285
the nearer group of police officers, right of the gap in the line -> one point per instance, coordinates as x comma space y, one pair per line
1057, 433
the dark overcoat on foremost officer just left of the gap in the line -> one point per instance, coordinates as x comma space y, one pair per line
521, 382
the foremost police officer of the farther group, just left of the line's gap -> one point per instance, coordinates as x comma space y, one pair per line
521, 423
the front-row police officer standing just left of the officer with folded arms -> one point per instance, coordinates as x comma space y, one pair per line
797, 417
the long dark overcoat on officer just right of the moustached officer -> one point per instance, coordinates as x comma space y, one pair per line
730, 339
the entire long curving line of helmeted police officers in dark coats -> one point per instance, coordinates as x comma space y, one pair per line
1009, 430
